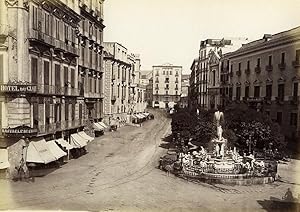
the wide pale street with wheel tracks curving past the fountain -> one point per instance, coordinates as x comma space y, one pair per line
120, 173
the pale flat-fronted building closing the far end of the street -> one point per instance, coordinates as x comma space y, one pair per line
166, 85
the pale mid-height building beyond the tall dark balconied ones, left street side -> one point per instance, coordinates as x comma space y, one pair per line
123, 95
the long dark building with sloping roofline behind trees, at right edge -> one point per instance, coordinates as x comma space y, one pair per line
265, 75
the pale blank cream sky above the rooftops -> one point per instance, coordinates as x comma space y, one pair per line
170, 31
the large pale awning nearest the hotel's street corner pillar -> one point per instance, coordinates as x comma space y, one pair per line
38, 152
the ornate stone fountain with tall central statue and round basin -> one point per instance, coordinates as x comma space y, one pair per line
222, 165
